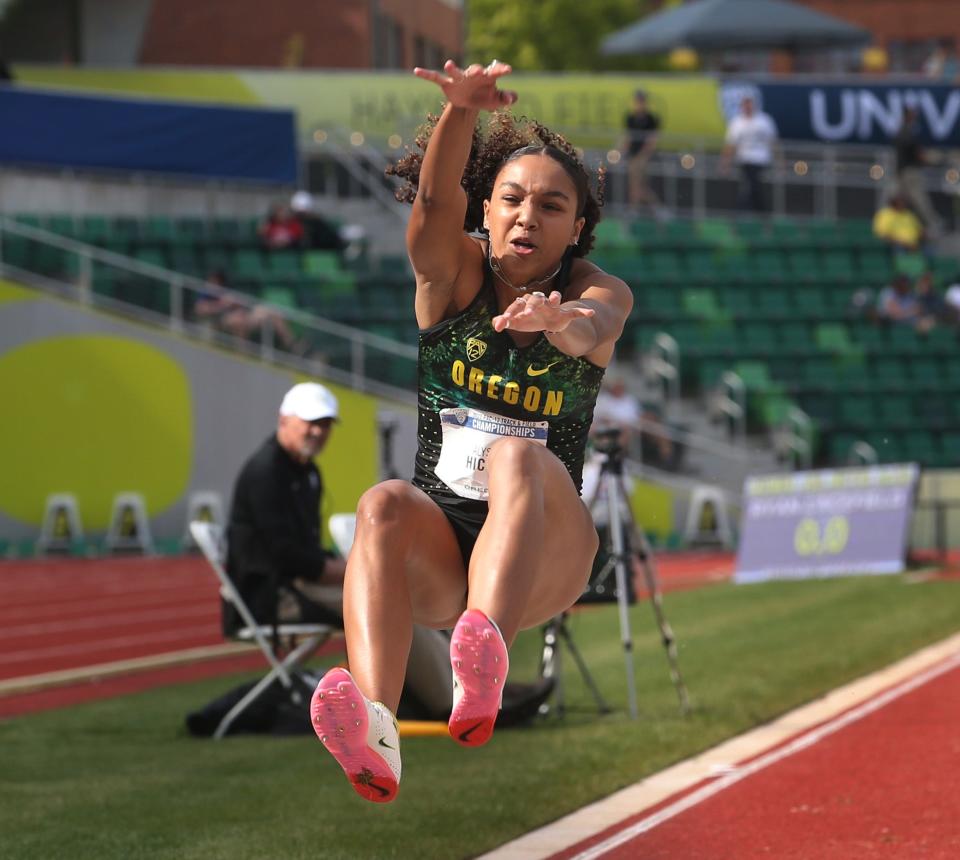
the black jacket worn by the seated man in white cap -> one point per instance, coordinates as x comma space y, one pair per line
273, 535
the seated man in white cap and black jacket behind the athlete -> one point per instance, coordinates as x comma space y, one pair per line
274, 552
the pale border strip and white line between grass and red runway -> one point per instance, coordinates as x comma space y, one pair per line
796, 730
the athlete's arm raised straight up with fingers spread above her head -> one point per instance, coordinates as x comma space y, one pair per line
436, 242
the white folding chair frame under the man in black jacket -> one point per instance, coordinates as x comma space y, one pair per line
209, 538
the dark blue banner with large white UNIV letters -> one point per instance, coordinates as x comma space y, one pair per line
853, 112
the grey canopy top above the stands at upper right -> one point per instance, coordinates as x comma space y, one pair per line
717, 25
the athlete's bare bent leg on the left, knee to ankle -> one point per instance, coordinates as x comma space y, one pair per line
405, 566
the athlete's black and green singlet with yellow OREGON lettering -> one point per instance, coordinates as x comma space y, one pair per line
467, 367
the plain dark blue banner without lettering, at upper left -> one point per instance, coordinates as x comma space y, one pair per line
53, 129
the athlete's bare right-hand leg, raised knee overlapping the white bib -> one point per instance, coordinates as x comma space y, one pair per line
535, 551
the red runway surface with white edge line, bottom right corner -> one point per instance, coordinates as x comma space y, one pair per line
880, 781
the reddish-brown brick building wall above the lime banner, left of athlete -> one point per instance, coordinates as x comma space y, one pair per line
301, 33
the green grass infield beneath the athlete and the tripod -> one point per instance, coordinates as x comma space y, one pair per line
122, 779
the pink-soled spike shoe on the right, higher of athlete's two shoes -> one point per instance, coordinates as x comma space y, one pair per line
480, 661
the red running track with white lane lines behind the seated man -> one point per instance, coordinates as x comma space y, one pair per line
73, 614
